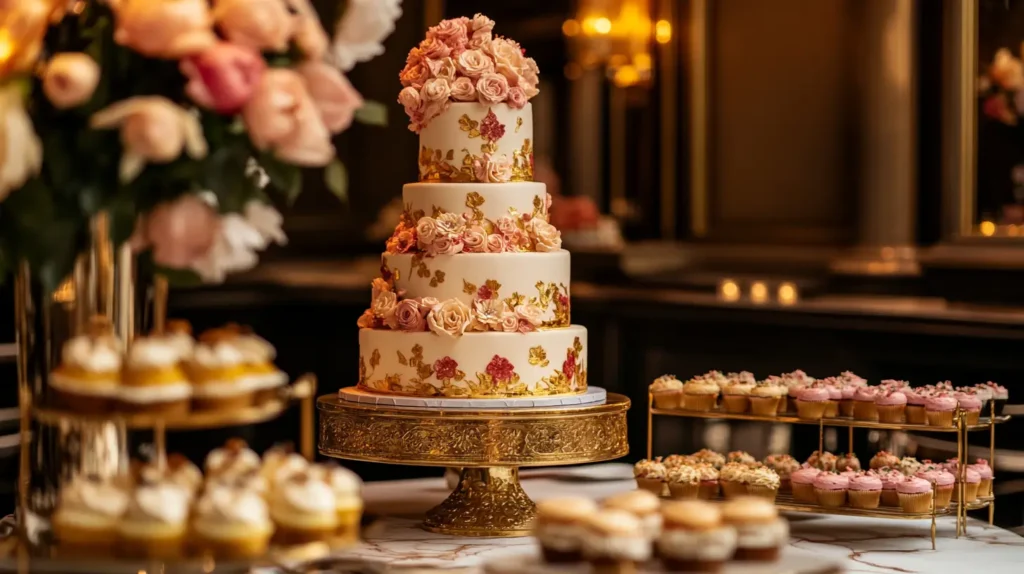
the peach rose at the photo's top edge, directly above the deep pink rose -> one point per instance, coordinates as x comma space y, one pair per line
263, 25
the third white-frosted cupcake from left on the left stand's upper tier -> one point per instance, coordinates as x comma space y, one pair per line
219, 373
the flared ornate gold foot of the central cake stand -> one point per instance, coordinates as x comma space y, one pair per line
487, 503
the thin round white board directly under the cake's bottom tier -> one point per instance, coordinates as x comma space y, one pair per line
594, 395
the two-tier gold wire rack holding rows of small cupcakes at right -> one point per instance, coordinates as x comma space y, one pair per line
786, 503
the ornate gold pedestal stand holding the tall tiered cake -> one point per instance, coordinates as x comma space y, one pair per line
490, 446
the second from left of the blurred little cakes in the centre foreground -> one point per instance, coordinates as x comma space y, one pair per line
615, 543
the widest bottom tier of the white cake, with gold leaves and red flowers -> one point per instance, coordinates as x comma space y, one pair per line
475, 366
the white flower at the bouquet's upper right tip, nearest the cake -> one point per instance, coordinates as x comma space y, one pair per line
364, 26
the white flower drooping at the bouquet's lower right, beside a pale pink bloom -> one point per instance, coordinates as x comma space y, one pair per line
240, 238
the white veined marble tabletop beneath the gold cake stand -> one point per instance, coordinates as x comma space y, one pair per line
861, 545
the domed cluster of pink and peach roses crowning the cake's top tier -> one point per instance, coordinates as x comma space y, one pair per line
462, 61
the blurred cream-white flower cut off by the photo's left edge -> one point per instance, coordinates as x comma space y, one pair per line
21, 152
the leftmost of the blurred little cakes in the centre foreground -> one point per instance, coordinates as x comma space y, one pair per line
562, 526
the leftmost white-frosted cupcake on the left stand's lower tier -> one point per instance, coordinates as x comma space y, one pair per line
86, 521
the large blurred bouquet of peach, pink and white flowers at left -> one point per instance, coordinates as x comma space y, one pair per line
182, 120
